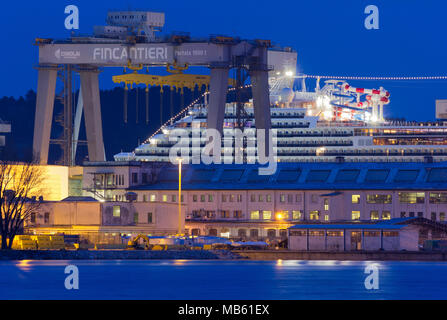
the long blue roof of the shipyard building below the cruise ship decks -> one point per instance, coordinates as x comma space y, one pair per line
305, 176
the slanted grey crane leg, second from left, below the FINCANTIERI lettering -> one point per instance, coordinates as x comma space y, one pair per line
92, 114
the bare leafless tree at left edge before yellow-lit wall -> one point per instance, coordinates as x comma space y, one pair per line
20, 185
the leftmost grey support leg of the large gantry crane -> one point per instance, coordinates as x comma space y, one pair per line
44, 112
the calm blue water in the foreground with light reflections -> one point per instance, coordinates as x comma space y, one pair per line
194, 279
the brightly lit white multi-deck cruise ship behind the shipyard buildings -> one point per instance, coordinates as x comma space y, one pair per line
335, 123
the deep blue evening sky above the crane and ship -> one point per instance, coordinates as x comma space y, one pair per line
329, 37
